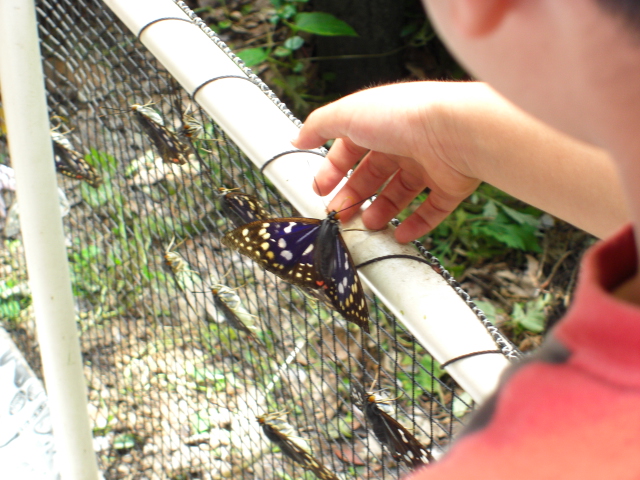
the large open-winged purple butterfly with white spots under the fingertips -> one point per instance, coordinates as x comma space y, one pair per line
307, 252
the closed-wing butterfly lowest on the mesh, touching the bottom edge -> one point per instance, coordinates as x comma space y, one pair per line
293, 446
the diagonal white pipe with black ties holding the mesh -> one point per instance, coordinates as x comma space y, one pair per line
417, 295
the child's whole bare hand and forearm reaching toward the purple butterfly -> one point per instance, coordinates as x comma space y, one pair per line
449, 137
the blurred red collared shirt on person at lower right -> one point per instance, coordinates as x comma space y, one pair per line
573, 410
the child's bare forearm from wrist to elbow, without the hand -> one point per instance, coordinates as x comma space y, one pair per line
537, 164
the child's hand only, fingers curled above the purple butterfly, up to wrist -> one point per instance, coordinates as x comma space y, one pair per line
408, 135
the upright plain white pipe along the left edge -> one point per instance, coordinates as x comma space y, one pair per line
23, 98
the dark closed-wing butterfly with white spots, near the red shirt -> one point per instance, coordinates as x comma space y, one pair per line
402, 445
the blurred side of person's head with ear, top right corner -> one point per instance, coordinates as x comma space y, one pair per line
566, 61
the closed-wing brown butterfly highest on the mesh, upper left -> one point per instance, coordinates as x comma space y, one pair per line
170, 147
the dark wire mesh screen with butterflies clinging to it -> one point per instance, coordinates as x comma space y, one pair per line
199, 363
